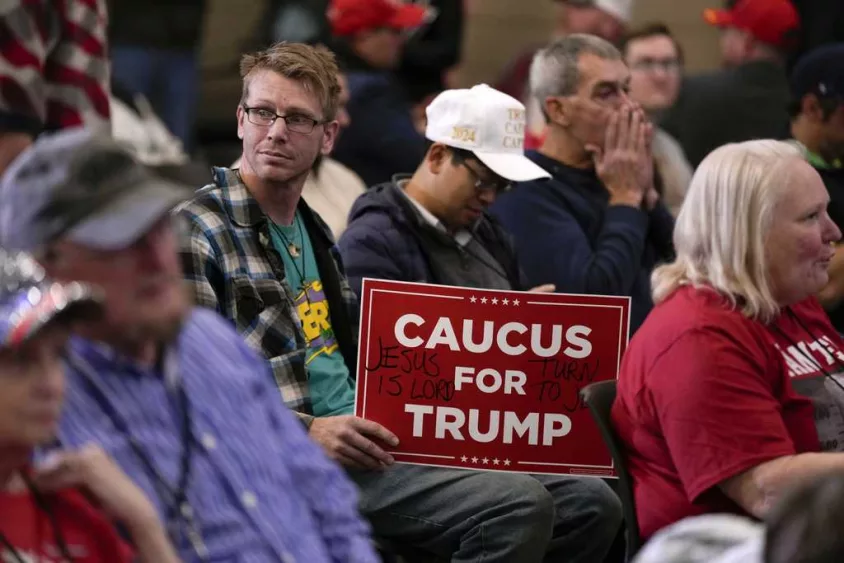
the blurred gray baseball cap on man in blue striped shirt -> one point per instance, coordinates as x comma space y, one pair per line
84, 186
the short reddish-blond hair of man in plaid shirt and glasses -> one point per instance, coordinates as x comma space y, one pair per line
315, 67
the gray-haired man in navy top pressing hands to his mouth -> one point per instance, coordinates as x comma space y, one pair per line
598, 226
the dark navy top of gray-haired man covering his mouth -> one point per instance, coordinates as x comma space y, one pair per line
568, 235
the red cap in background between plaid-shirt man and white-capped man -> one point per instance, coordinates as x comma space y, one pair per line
348, 17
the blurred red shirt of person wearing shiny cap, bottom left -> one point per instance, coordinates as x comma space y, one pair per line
89, 536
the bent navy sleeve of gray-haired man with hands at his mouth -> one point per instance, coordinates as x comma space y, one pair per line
553, 248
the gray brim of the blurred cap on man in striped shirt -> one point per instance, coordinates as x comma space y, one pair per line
129, 218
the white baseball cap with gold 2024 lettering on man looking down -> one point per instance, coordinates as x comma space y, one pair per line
487, 122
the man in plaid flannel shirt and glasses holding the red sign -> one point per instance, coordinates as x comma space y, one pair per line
258, 255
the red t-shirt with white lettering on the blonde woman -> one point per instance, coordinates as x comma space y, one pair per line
705, 393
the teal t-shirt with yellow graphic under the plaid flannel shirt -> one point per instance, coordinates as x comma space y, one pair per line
332, 392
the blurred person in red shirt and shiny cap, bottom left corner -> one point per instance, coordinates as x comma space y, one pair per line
64, 508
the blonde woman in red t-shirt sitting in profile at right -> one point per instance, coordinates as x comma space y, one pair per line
731, 390
